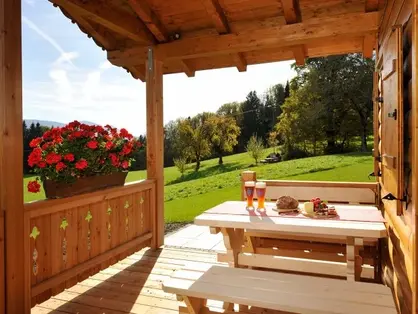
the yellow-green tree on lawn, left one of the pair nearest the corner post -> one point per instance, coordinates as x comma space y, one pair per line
194, 137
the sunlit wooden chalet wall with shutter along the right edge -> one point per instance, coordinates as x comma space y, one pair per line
394, 165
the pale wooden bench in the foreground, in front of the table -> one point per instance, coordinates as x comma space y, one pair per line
257, 291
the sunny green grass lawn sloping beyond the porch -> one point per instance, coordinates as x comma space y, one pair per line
197, 191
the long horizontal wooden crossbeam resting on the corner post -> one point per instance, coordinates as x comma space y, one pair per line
327, 28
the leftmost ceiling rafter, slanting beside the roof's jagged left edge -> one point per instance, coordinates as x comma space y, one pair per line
116, 21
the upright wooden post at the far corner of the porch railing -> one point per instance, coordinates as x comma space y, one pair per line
155, 142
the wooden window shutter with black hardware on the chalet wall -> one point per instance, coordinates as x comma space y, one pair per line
392, 114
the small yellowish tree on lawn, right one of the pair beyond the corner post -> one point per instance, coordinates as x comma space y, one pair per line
224, 133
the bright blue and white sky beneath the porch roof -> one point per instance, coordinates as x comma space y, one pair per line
66, 77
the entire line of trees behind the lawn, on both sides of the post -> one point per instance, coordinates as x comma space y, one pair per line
324, 109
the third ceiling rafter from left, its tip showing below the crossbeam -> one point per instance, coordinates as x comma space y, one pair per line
220, 21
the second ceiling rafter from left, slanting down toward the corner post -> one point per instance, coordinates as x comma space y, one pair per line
150, 19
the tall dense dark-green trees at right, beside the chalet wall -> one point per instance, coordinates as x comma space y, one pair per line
330, 106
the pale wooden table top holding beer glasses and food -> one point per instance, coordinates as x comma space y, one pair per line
235, 215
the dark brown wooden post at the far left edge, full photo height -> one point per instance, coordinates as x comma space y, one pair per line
11, 154
